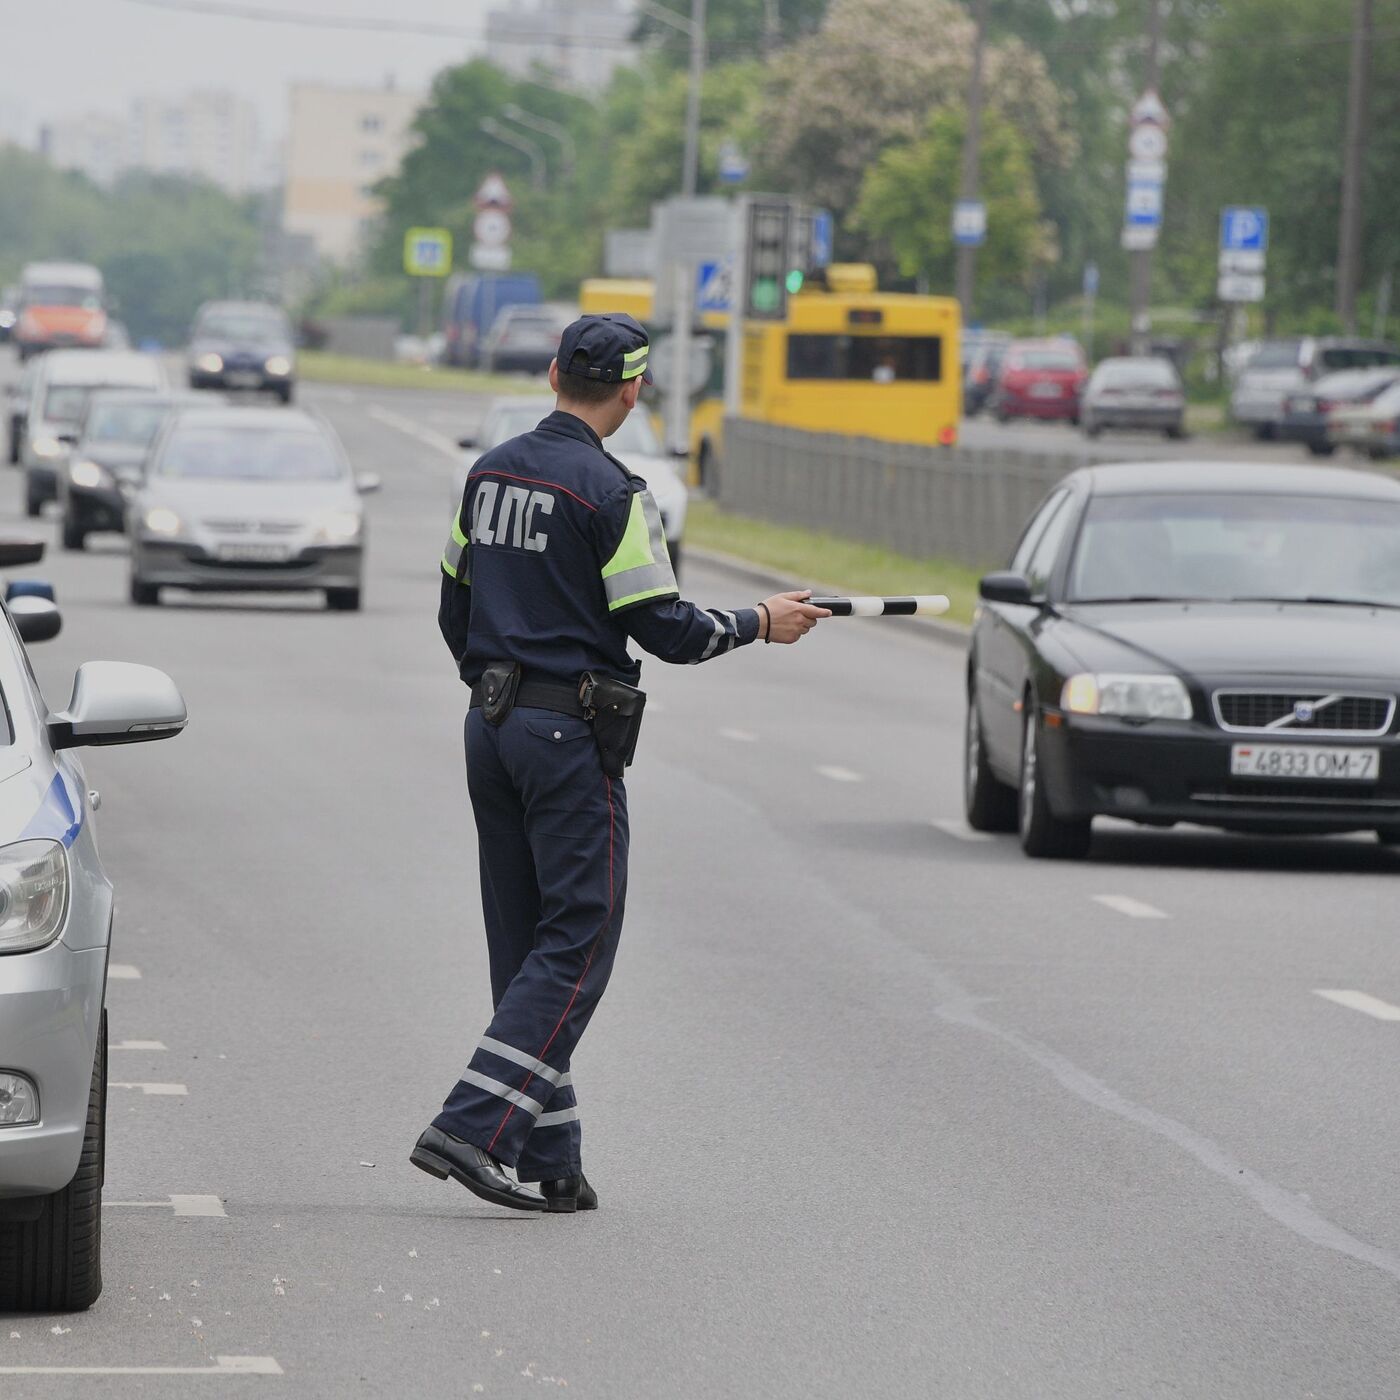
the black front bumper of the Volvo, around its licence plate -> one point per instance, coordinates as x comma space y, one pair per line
1161, 773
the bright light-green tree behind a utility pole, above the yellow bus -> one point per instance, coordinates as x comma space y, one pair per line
908, 202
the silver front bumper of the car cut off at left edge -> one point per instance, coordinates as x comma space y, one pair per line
51, 1013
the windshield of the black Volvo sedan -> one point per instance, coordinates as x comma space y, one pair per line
1223, 547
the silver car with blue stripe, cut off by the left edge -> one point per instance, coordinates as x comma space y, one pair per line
55, 934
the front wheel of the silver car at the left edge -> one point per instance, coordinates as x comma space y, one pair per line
55, 1262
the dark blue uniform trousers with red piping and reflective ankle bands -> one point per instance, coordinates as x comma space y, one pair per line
552, 839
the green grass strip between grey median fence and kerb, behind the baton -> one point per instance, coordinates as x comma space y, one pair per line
843, 563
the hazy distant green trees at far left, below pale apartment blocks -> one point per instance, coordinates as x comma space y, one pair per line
164, 244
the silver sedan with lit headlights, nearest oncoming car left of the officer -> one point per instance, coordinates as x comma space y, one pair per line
244, 500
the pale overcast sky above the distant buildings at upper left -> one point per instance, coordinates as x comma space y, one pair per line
69, 57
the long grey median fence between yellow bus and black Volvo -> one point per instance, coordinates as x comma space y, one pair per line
968, 505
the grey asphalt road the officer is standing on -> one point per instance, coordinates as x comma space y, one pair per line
876, 1108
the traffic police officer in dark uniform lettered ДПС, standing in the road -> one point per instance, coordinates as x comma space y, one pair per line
556, 558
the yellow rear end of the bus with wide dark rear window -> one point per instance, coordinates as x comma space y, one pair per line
862, 363
